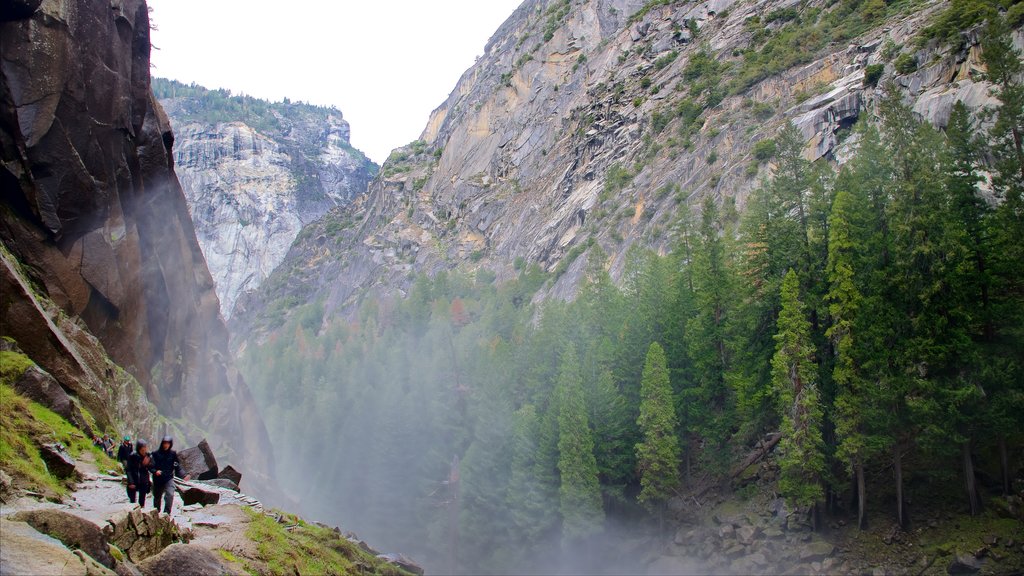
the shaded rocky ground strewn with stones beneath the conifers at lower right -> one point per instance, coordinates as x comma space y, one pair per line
749, 531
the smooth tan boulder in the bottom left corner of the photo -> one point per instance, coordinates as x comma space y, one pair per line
25, 551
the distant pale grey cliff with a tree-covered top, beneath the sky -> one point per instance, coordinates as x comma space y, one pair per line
254, 181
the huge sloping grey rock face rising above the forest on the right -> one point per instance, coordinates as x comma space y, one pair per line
593, 124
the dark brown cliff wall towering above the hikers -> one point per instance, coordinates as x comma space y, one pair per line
93, 208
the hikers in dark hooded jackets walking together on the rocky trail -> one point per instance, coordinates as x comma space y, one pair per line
148, 471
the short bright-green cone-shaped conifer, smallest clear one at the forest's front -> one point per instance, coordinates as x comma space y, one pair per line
658, 456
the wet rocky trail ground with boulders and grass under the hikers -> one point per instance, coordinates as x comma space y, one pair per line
96, 531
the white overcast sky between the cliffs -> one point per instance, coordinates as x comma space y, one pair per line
385, 64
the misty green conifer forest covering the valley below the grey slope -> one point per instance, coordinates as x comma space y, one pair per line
871, 317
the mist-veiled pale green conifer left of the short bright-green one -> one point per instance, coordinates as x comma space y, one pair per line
580, 496
